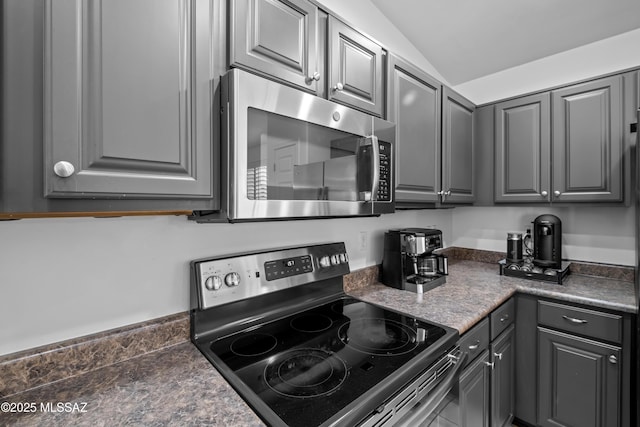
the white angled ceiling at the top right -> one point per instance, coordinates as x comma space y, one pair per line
468, 39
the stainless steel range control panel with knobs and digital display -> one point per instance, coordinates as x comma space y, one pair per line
221, 280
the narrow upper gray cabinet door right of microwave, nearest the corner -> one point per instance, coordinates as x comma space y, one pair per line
457, 148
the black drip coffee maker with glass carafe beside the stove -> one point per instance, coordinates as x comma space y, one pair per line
409, 262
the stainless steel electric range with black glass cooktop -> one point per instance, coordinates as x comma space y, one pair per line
278, 326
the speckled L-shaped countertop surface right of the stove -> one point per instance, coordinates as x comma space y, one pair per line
474, 289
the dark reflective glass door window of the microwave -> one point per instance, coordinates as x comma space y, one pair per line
290, 159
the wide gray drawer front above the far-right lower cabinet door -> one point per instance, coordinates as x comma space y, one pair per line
581, 321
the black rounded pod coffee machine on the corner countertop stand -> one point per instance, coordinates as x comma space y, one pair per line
547, 241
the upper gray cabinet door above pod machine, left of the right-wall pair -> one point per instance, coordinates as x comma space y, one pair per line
523, 149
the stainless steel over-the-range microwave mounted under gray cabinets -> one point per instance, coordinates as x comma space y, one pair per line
290, 154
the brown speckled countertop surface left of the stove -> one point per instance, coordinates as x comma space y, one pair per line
175, 386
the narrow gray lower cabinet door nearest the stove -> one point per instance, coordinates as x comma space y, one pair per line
474, 395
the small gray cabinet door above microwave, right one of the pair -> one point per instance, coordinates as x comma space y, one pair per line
356, 69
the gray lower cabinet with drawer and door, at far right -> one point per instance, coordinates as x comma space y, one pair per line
573, 365
